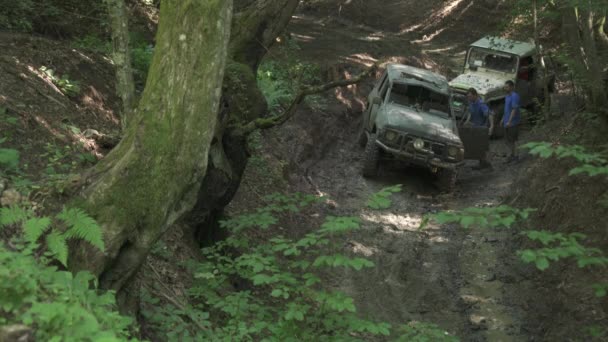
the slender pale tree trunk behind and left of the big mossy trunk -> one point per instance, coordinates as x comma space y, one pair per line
125, 87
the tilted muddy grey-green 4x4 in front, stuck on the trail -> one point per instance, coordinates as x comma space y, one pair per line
408, 117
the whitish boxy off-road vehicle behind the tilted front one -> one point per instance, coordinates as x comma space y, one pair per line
489, 63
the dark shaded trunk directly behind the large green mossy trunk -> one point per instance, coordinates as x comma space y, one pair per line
256, 25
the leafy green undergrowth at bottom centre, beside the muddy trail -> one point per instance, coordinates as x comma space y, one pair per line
252, 288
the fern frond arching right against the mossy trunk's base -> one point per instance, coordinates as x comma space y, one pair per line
82, 226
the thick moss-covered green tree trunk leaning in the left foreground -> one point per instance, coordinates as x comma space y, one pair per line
154, 175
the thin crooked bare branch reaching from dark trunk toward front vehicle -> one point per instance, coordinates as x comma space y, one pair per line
273, 121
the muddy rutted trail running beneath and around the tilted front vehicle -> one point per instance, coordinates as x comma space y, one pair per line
459, 279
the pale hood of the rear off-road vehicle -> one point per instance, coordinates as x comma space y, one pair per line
487, 84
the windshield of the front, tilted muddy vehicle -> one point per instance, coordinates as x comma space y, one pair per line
419, 98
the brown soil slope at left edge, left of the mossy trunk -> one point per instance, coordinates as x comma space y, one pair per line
48, 119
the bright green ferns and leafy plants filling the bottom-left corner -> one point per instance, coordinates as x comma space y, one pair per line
54, 304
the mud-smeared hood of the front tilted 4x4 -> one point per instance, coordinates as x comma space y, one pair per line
418, 123
